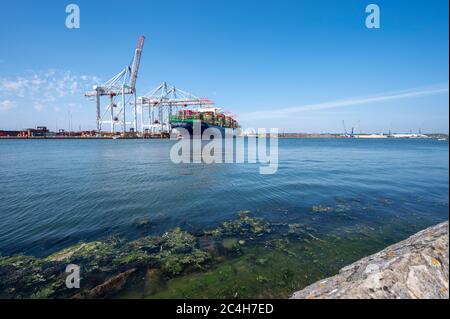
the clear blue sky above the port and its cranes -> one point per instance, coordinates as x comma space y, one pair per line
295, 65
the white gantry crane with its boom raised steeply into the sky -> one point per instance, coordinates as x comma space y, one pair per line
122, 84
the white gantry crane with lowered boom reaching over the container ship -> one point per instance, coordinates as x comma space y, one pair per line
165, 99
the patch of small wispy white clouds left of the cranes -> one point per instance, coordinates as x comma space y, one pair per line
42, 89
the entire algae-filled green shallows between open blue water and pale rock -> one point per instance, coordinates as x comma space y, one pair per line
245, 257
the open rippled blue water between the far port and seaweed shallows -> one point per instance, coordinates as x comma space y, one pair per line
57, 192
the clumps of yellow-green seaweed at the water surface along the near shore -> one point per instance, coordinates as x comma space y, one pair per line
106, 265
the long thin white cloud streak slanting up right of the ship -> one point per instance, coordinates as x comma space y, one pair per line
399, 95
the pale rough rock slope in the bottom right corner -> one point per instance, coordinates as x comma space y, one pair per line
414, 268
